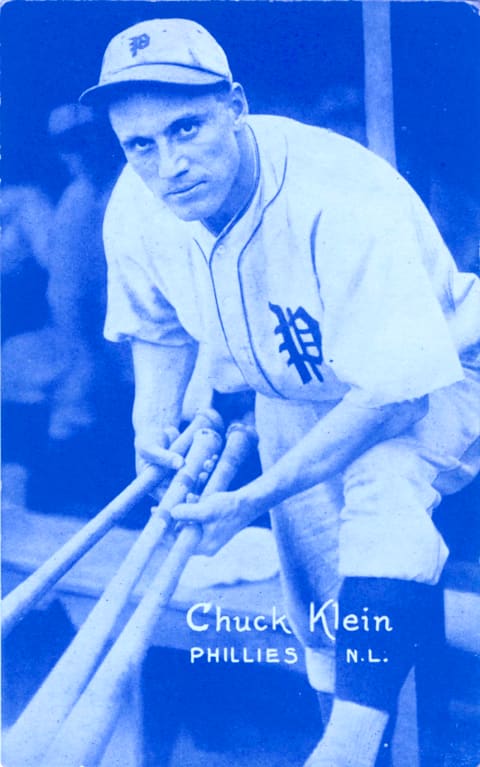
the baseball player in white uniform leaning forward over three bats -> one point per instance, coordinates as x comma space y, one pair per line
299, 265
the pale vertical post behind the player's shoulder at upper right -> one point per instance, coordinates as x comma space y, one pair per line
379, 110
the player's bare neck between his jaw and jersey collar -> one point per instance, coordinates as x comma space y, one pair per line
242, 188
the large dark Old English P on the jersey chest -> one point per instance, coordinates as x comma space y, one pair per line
302, 340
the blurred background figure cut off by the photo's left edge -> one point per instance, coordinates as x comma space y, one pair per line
25, 214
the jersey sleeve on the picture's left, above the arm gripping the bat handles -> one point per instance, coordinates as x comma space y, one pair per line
136, 306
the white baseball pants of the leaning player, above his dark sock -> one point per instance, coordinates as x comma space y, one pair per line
374, 520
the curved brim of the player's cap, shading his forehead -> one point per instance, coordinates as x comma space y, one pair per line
166, 74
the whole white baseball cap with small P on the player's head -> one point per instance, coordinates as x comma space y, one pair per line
175, 51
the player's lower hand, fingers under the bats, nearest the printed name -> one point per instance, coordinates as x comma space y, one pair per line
222, 515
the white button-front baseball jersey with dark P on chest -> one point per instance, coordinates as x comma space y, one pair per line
333, 281
